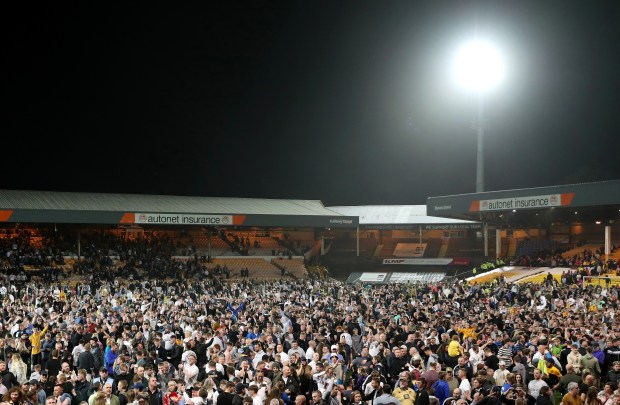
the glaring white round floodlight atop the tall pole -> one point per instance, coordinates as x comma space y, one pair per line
479, 66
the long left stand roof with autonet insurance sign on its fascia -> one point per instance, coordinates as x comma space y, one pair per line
102, 208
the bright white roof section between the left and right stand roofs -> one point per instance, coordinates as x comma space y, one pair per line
399, 217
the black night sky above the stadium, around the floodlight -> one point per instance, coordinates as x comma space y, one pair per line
347, 102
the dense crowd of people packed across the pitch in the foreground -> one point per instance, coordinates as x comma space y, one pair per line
223, 342
